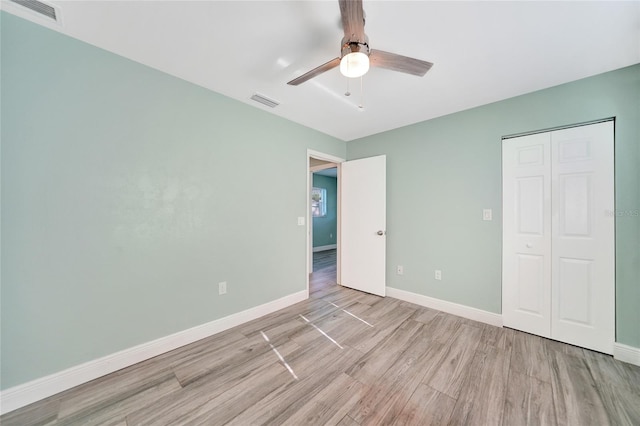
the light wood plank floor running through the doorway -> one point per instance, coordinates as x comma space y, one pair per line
349, 358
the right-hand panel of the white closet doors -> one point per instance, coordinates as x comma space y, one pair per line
583, 262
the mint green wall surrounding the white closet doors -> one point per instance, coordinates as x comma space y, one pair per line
441, 174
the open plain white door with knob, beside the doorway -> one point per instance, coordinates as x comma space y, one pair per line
363, 191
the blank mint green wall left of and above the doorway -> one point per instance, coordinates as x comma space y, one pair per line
127, 195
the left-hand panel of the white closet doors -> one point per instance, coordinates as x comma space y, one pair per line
526, 263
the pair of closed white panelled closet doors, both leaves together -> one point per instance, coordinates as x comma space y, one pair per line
558, 235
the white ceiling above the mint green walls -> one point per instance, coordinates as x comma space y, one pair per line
483, 51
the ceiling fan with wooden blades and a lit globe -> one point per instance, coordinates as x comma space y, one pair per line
356, 57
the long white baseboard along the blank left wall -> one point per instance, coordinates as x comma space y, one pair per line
27, 393
